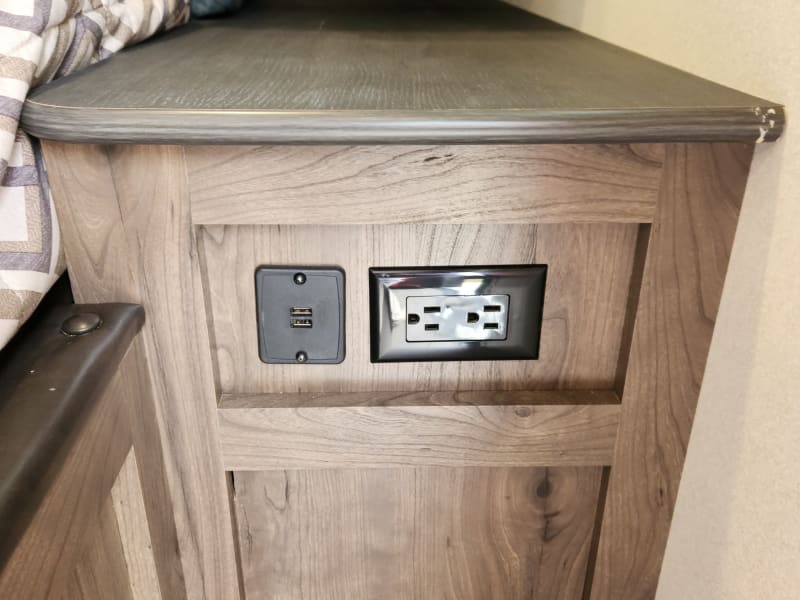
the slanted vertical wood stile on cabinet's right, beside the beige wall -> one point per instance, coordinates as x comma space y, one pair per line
681, 287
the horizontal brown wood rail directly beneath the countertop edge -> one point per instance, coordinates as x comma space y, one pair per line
339, 185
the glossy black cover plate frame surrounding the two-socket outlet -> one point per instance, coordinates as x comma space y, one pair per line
390, 287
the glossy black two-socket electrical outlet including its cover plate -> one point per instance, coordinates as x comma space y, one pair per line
463, 313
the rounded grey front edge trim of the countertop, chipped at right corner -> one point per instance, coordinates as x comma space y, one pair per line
169, 126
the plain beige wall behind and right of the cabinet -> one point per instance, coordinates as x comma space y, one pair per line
736, 531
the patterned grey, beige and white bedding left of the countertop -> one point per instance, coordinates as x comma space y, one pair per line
42, 40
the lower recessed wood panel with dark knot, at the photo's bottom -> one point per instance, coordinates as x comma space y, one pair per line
454, 534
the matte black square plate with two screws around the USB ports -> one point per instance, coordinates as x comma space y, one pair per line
323, 291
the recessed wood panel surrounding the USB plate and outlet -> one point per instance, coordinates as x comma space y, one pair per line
585, 302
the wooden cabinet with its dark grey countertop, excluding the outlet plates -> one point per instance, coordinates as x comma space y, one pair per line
553, 478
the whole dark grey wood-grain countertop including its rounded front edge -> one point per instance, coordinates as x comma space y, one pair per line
427, 73
